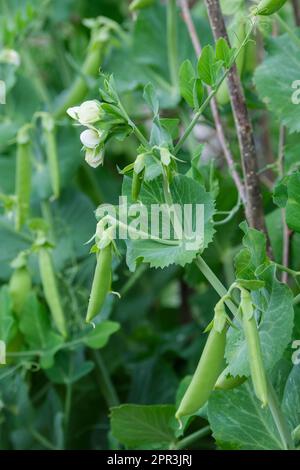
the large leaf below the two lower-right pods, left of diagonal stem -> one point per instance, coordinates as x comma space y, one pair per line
239, 422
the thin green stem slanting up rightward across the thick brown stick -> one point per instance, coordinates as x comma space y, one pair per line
210, 96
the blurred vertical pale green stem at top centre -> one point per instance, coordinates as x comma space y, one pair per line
172, 41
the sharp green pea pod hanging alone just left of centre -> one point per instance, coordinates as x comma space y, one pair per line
101, 283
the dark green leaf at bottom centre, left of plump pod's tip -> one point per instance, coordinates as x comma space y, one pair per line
141, 426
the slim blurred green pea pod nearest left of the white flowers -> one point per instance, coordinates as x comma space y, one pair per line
51, 151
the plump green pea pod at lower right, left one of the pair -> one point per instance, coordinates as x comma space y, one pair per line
208, 370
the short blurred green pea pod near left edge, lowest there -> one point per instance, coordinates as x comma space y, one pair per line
19, 287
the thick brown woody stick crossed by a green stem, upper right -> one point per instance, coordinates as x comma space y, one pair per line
254, 207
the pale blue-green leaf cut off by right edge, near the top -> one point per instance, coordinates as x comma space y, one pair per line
274, 79
